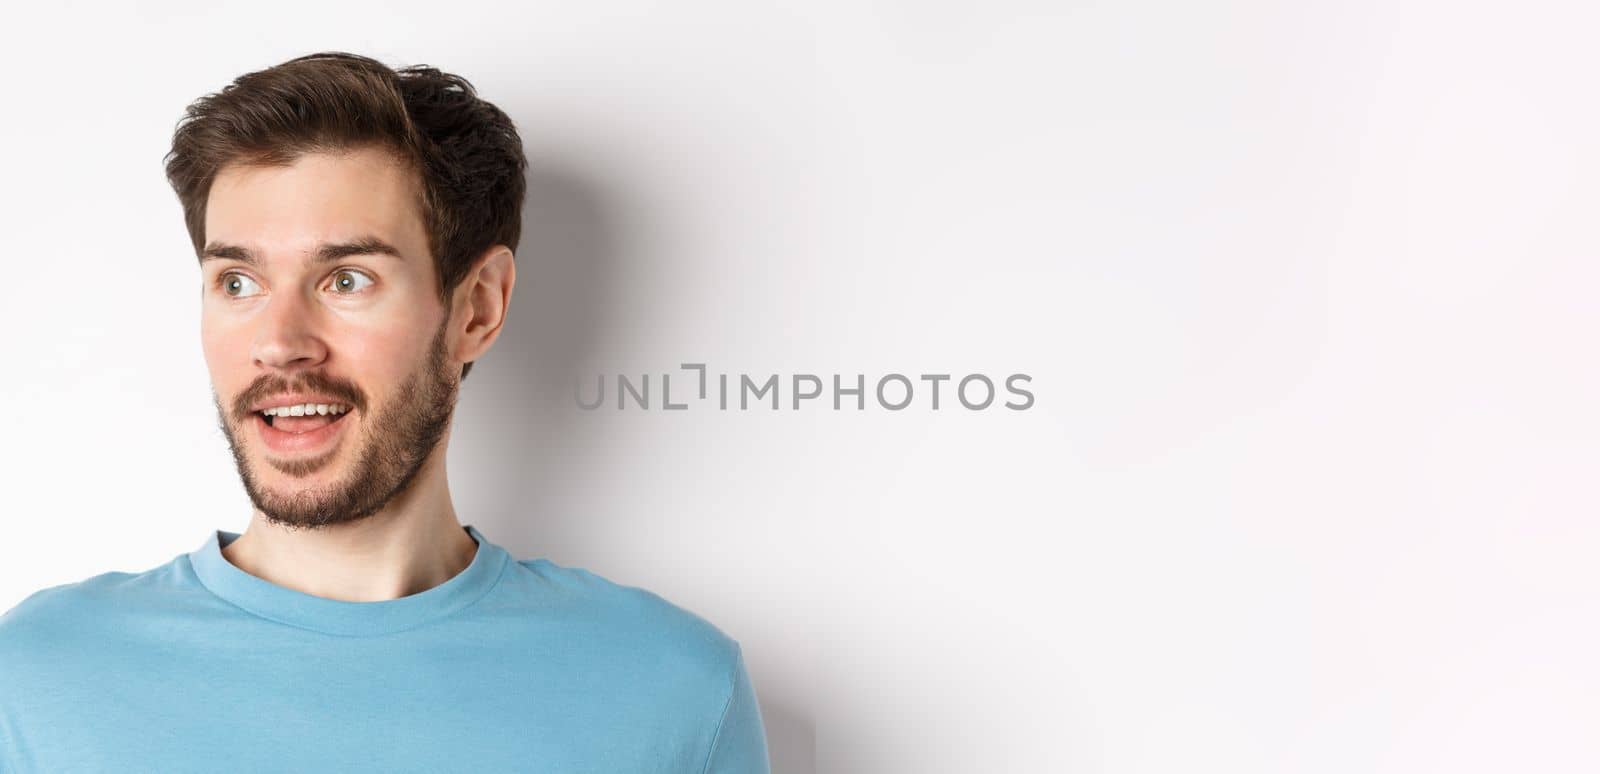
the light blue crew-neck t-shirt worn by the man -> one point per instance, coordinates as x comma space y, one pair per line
508, 668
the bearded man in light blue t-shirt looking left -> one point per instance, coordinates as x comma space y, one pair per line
354, 228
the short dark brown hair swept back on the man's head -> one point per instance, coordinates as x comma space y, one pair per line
466, 153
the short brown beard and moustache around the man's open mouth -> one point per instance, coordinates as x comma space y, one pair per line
394, 449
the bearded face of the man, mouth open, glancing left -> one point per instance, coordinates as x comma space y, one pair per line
303, 305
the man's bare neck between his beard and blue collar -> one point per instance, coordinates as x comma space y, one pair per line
410, 546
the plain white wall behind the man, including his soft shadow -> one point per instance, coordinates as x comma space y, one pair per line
1306, 293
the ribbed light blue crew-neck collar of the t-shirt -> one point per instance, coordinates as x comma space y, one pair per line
346, 618
